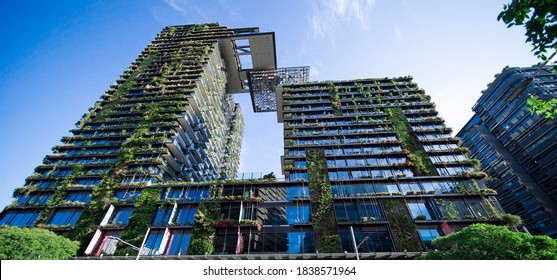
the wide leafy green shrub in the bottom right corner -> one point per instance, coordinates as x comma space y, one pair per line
490, 242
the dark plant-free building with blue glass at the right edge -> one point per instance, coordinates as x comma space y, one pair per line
516, 148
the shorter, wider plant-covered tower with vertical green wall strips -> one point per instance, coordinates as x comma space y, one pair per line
380, 162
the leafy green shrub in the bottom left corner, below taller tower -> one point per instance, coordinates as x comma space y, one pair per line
34, 243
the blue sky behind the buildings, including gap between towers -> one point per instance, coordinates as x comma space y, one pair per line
58, 57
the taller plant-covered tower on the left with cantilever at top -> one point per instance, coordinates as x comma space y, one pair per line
170, 117
